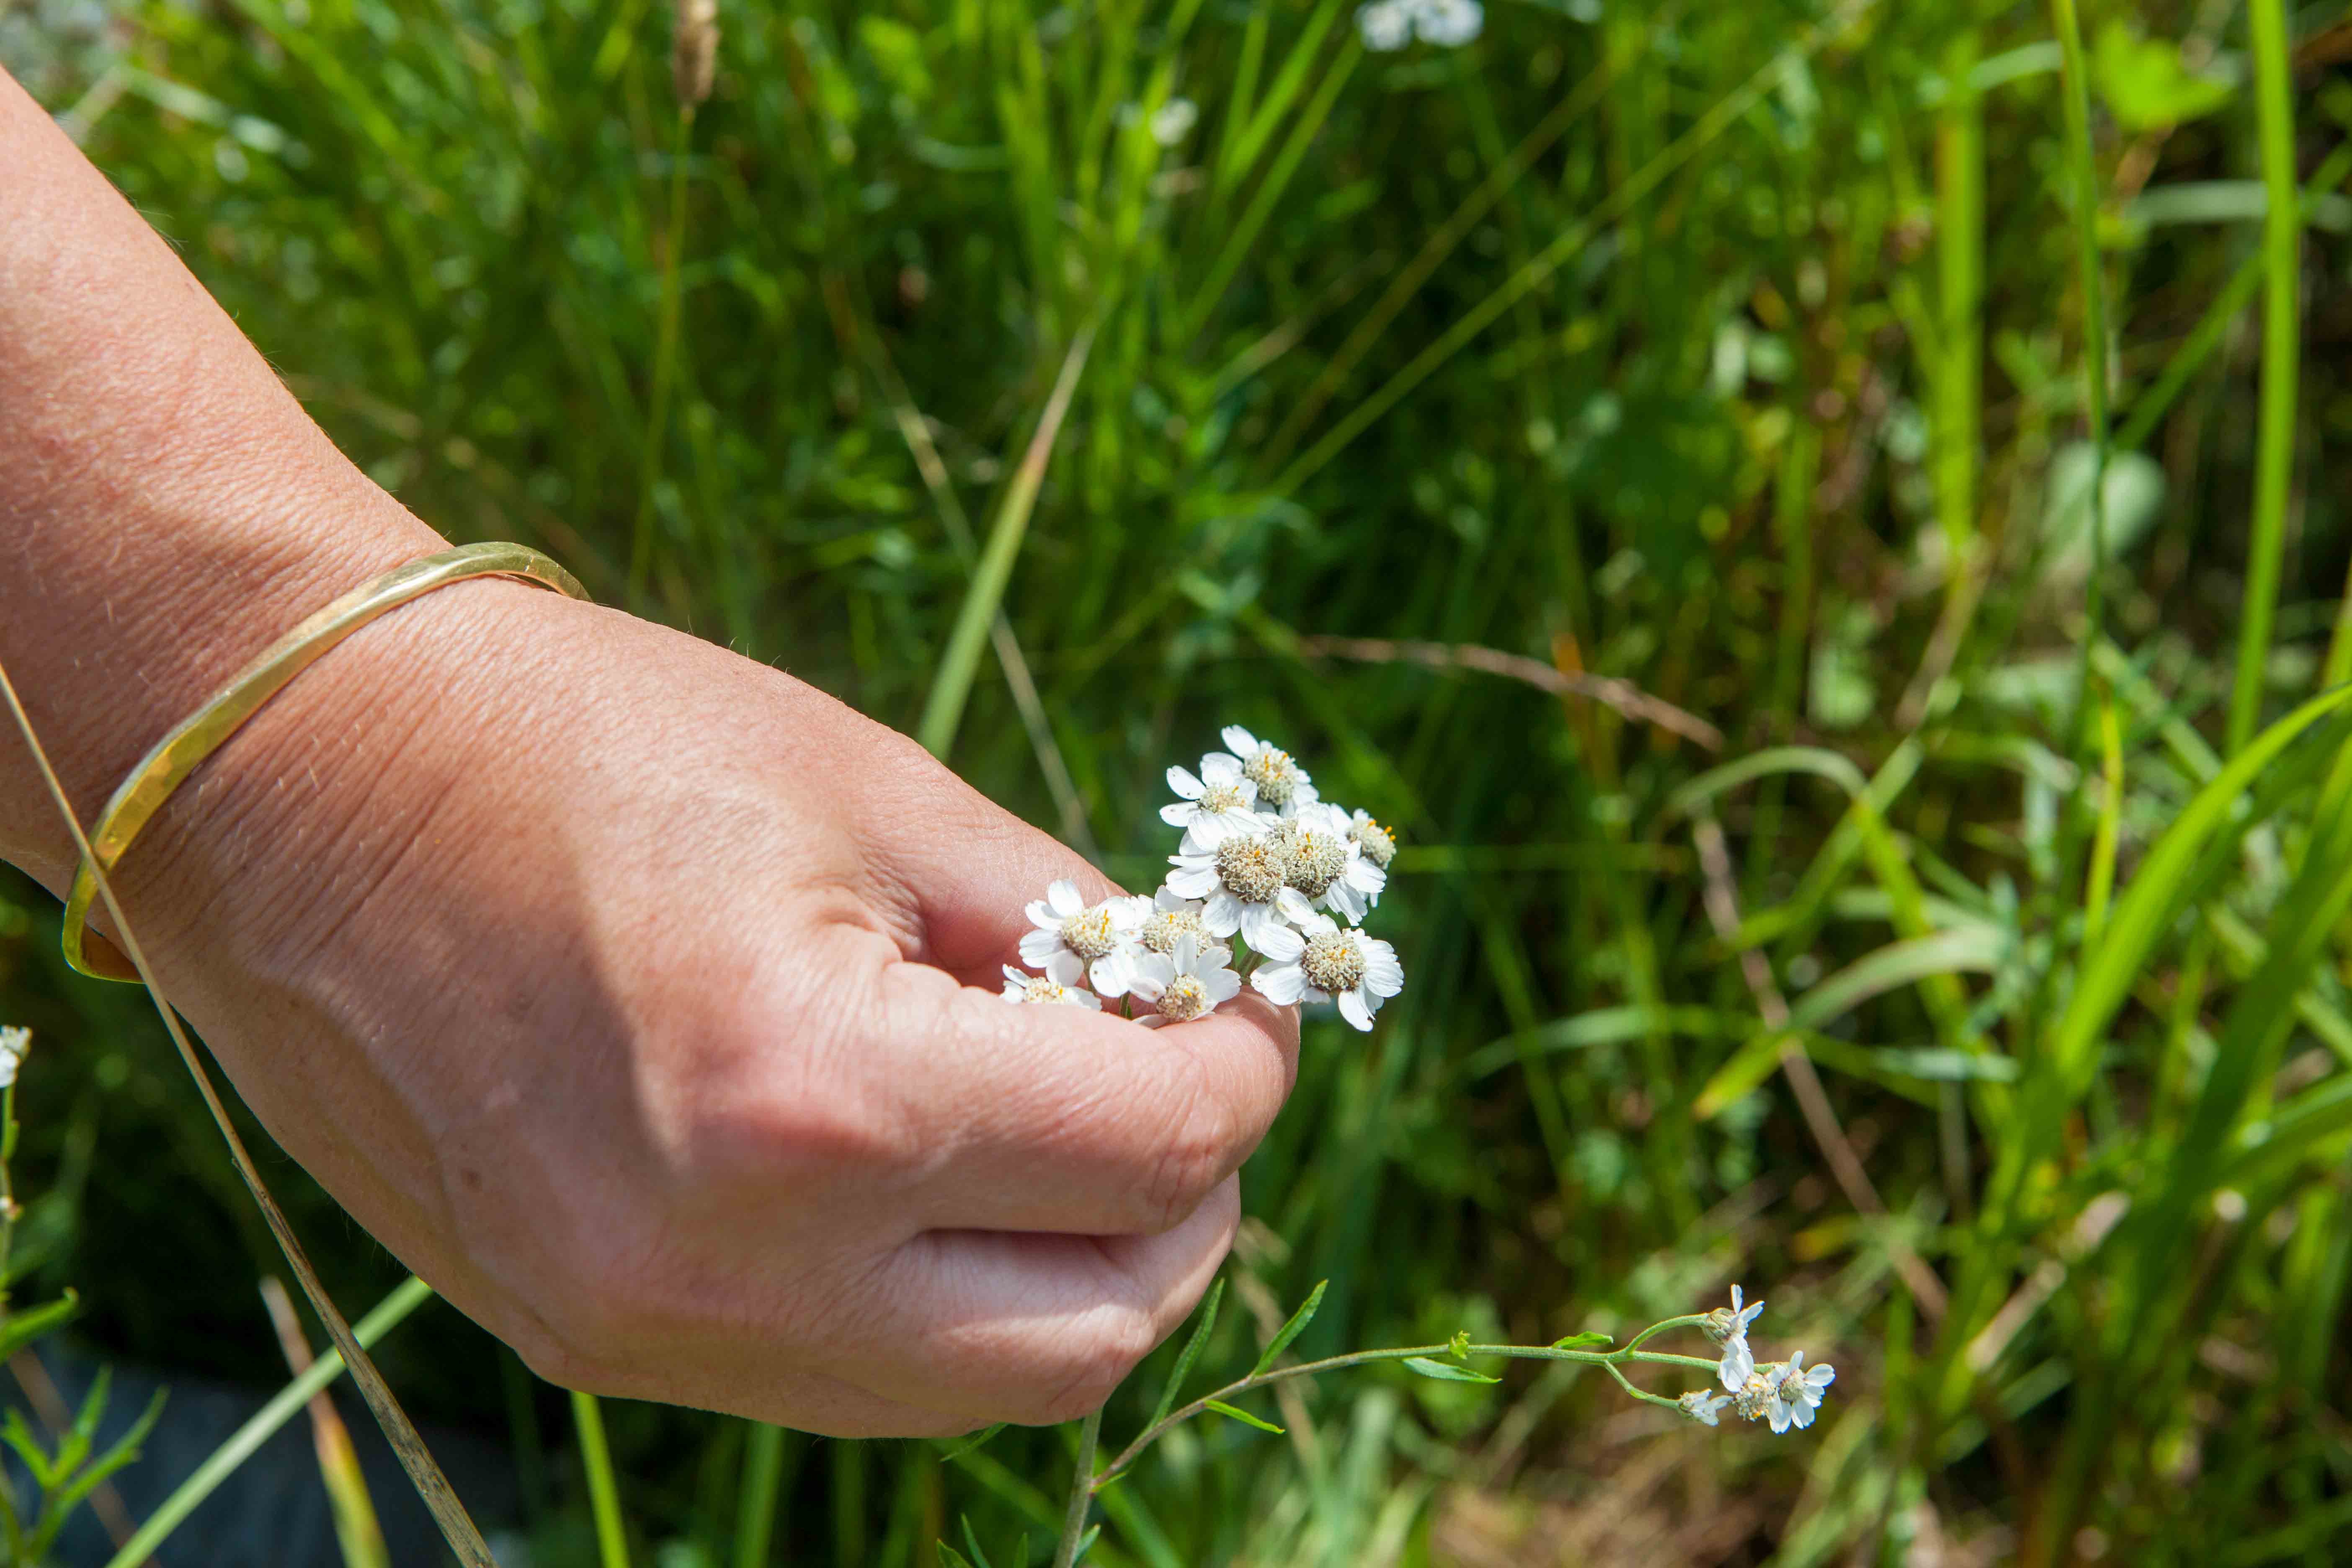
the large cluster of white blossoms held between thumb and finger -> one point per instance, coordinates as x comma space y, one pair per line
1267, 864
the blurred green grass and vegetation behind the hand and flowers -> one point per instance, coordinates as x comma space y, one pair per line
1960, 981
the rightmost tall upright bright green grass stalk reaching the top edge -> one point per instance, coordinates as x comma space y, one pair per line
2276, 424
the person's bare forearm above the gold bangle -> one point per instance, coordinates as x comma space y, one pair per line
166, 507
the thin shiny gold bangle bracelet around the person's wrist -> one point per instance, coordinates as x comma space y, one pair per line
203, 732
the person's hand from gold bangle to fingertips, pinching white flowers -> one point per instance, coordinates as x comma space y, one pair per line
624, 989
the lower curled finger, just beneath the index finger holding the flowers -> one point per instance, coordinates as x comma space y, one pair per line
1034, 1327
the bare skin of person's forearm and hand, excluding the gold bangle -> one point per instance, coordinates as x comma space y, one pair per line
634, 993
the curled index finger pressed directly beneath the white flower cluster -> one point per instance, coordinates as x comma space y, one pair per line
1067, 1120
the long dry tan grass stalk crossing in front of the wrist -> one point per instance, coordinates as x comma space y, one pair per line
399, 1430
